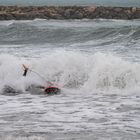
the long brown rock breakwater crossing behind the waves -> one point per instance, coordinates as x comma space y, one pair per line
67, 12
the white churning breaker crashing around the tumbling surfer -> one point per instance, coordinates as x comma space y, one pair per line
70, 69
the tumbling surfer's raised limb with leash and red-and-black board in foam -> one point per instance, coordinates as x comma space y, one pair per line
50, 89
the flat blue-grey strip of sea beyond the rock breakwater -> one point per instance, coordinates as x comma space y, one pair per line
124, 3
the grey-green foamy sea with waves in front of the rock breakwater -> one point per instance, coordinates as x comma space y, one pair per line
96, 63
